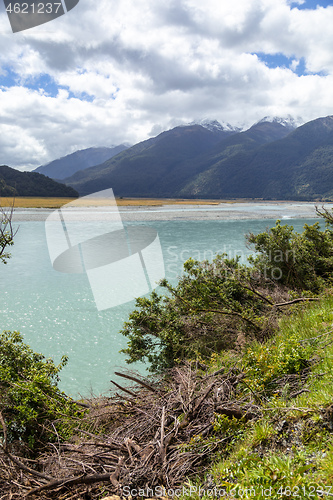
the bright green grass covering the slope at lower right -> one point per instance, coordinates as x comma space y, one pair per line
288, 451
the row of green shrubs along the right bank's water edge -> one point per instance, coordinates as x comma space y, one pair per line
222, 305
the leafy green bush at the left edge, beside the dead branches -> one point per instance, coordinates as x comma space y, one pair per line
30, 401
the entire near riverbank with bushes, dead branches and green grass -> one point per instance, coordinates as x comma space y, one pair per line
240, 404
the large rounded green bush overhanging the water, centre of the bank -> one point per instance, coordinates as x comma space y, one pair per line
211, 309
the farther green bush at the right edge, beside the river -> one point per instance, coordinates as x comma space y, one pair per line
300, 261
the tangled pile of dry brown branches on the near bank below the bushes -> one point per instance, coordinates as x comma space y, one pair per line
157, 438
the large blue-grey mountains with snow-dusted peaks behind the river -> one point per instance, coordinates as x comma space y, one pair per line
273, 159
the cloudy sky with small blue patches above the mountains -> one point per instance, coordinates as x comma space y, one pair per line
113, 72
